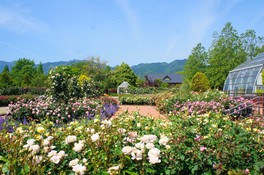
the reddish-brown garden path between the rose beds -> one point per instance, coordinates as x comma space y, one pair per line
144, 110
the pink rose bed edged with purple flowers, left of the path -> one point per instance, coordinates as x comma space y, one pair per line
44, 107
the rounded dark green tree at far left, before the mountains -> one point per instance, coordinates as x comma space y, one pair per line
23, 72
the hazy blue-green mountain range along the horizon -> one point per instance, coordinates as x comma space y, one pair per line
141, 69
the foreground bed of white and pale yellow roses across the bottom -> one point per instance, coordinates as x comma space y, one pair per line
132, 144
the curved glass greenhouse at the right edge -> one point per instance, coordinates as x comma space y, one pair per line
246, 78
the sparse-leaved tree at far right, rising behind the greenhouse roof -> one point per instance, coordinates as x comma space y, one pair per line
251, 43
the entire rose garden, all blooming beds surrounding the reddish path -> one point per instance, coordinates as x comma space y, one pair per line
70, 130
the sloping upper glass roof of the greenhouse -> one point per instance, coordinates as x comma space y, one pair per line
257, 61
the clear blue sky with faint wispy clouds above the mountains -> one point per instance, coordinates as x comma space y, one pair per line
130, 31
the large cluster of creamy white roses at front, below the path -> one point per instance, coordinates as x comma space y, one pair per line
146, 141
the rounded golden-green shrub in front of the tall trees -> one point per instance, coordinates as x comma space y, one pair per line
200, 82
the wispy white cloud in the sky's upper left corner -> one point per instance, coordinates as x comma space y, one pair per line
16, 20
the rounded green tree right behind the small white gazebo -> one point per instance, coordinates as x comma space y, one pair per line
123, 73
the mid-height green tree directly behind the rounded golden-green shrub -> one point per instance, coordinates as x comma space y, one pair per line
196, 62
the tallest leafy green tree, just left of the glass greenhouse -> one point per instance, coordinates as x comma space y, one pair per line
225, 54
